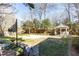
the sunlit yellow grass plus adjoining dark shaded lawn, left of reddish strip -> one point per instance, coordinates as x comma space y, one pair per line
49, 46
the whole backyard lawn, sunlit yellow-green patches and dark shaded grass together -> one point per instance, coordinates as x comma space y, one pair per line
47, 47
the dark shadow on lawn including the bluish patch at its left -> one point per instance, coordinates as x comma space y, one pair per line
51, 47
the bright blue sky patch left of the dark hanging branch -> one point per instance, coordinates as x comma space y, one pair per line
21, 10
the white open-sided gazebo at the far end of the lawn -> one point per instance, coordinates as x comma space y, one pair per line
63, 29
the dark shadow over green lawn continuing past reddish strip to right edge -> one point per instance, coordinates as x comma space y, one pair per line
57, 47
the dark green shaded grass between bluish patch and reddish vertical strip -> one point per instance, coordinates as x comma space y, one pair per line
53, 47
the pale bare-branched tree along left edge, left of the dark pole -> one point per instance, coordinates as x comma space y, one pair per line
4, 23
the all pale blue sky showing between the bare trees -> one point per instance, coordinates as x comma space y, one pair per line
53, 11
